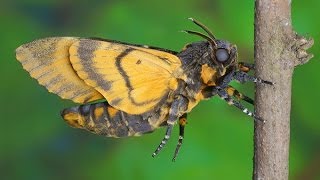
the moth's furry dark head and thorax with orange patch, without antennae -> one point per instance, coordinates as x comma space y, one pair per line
202, 68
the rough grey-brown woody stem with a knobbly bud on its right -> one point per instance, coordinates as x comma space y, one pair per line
278, 49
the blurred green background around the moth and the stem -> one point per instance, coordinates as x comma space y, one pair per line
35, 143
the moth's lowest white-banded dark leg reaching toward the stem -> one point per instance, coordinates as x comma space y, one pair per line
224, 95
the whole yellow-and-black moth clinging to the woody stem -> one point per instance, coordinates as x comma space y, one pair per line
127, 89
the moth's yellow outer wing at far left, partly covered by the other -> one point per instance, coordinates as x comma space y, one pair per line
47, 60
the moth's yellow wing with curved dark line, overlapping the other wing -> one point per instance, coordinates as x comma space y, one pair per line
132, 79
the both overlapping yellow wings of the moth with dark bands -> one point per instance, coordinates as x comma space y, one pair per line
131, 78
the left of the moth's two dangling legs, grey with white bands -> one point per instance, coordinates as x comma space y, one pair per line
178, 105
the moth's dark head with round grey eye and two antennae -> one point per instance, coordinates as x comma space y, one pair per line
222, 54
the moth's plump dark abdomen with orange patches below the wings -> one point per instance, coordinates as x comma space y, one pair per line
103, 119
